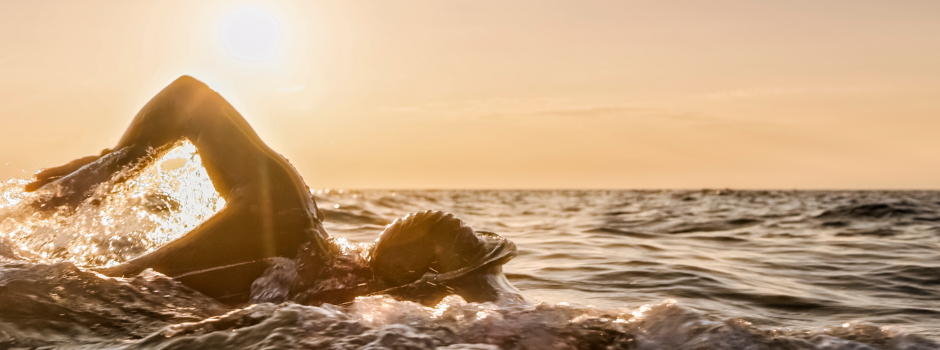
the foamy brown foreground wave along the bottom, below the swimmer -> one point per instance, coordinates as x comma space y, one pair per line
64, 306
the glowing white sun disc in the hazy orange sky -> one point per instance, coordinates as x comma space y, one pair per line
250, 34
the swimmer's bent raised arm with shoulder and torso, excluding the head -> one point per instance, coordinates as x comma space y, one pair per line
269, 211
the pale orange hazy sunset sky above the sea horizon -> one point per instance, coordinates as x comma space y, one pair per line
502, 94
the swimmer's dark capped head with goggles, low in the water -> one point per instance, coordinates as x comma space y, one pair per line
431, 254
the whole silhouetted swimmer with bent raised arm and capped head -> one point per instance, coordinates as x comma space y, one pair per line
269, 212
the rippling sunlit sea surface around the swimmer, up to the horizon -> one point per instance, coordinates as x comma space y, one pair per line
604, 269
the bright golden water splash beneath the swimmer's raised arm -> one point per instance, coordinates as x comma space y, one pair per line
120, 220
